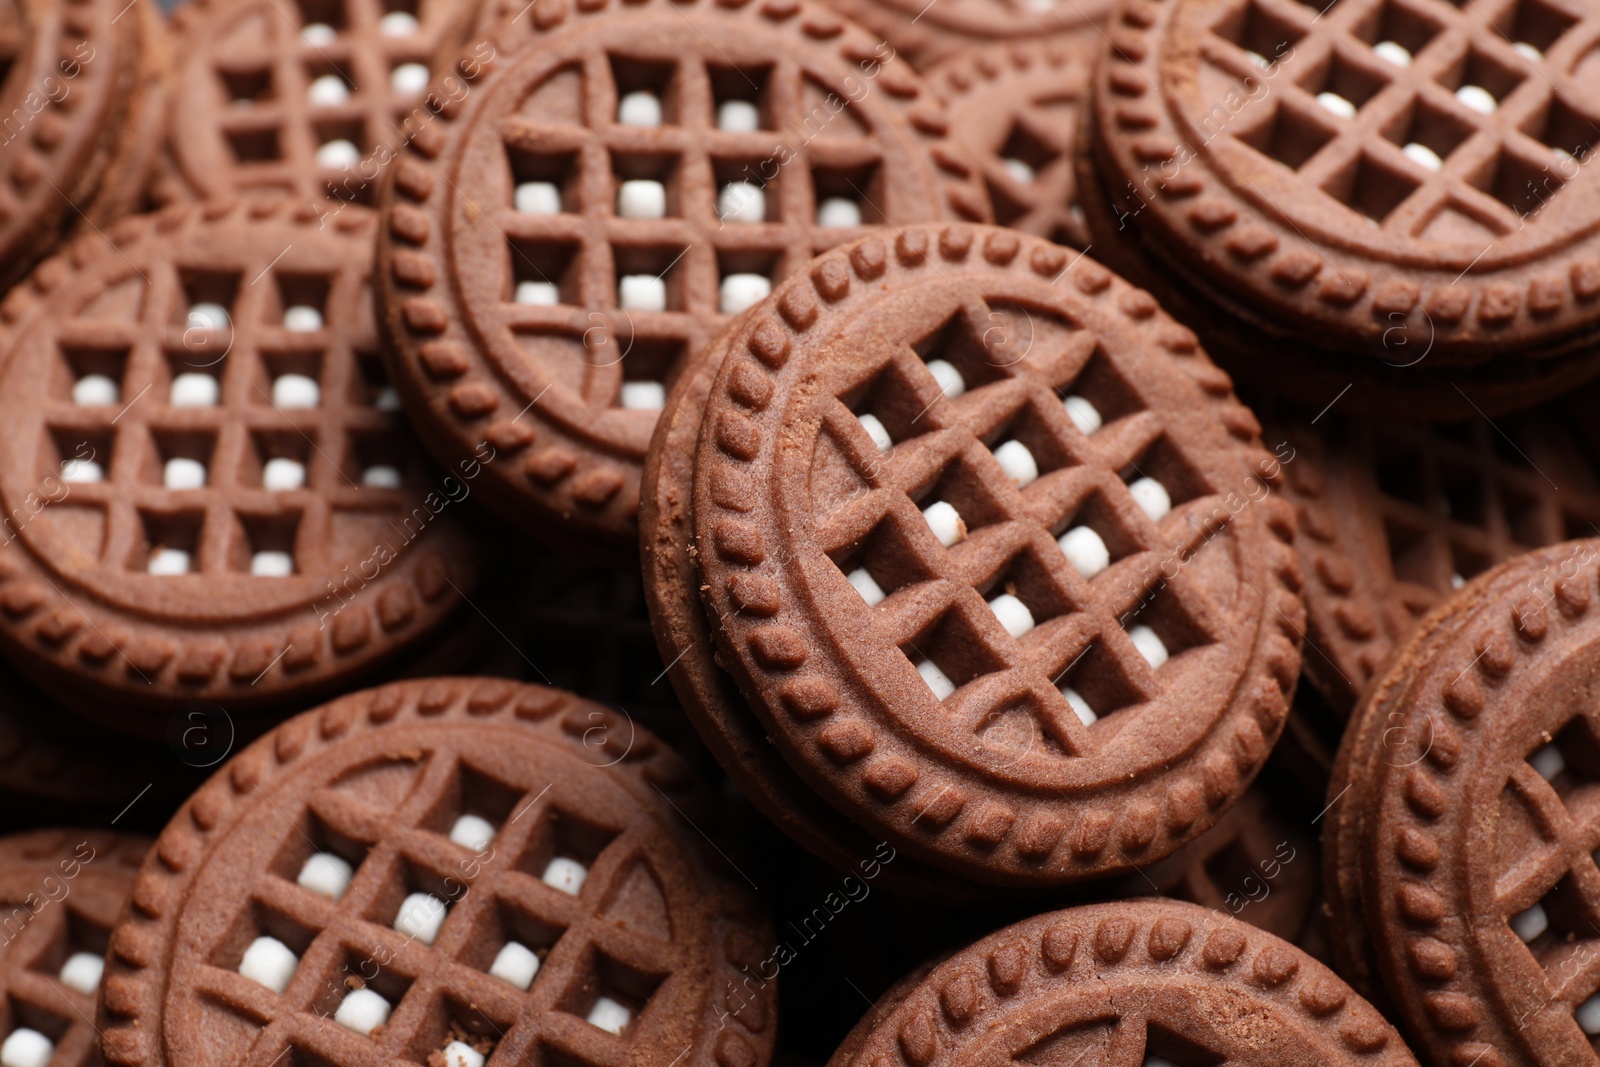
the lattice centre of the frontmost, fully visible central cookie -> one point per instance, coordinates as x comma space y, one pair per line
975, 564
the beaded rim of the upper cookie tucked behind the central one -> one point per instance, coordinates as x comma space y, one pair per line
460, 391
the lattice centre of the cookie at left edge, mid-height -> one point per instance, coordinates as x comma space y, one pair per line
223, 422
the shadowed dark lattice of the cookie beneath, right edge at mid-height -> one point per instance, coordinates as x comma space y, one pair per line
1457, 500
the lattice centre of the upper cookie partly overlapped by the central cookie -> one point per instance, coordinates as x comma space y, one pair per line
649, 196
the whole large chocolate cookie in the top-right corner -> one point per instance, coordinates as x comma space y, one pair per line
1343, 175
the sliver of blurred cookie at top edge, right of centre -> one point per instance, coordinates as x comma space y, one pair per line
930, 33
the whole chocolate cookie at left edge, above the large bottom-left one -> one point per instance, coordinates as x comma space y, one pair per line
209, 492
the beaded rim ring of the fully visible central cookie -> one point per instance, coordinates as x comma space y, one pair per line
772, 655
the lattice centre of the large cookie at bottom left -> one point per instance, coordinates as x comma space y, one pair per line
519, 916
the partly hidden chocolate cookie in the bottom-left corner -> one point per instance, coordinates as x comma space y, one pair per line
60, 895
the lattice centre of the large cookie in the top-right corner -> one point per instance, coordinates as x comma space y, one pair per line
1430, 119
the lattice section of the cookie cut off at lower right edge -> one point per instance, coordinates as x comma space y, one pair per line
1548, 885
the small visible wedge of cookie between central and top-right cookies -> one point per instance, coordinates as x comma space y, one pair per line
1015, 106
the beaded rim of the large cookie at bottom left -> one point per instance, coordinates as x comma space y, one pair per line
134, 989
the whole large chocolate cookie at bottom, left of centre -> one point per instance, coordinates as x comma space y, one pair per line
457, 871
